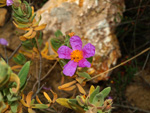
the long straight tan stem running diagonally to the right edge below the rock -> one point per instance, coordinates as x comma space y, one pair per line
120, 64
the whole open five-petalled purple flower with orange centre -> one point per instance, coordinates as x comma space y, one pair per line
78, 55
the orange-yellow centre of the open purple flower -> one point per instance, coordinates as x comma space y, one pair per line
76, 55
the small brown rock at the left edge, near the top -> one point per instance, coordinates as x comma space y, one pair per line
3, 13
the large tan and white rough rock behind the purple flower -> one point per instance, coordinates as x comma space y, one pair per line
93, 20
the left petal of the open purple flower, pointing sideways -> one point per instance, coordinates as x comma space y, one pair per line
64, 52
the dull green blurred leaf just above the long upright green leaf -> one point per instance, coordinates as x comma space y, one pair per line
20, 59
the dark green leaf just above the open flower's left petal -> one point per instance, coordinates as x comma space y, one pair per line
55, 43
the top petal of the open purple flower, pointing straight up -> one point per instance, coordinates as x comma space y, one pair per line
76, 43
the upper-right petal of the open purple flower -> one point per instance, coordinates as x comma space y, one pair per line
88, 50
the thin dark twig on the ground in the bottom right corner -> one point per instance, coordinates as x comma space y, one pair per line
130, 107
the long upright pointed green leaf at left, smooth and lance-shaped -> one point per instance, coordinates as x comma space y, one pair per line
23, 74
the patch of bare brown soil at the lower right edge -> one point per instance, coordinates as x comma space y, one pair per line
138, 93
